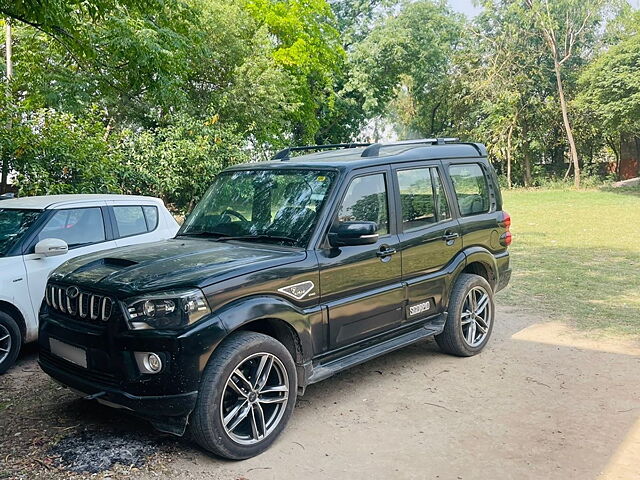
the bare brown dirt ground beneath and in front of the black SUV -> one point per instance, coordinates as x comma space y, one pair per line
541, 402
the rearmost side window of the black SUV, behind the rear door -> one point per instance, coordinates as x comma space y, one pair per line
471, 188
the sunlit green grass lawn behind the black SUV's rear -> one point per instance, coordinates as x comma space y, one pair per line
576, 256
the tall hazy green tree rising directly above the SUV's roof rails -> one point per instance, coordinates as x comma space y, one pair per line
409, 54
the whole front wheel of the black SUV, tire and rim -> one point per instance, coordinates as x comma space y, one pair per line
247, 395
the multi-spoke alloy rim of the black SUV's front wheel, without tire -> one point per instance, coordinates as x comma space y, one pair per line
254, 398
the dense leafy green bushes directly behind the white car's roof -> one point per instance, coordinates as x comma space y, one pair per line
57, 153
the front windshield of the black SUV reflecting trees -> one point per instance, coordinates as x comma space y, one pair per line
273, 206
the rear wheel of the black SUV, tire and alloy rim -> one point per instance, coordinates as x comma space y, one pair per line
471, 317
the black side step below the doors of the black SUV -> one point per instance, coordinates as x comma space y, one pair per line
322, 371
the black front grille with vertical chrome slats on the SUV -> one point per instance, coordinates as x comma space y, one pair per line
74, 302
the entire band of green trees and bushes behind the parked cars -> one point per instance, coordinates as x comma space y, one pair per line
156, 96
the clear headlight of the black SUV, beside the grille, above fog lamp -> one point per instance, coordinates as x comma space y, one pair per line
166, 310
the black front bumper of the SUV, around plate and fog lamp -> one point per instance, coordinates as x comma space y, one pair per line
111, 374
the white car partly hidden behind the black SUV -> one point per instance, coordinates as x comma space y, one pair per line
38, 234
